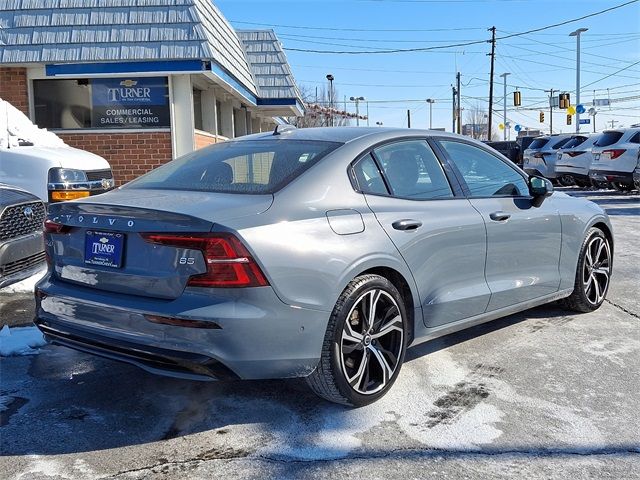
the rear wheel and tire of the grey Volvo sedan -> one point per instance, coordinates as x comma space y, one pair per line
364, 345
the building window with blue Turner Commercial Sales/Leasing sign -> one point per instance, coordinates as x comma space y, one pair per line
102, 103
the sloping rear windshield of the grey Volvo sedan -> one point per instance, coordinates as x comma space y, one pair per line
250, 167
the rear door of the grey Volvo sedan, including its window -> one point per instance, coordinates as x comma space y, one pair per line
440, 235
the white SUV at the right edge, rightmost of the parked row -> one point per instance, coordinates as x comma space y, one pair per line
616, 154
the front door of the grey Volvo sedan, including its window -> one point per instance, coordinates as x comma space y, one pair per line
523, 241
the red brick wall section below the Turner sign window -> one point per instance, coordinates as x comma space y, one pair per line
129, 154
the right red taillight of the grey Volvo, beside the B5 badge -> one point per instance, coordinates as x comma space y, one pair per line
229, 263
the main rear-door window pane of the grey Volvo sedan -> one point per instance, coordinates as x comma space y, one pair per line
413, 171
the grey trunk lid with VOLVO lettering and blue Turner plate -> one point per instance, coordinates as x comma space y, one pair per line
102, 244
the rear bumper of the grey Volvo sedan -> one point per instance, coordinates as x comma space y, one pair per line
204, 334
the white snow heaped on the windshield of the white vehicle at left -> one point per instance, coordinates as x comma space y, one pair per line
15, 127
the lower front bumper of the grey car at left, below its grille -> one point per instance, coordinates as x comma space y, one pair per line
20, 258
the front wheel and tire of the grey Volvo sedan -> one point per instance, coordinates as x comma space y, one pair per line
593, 273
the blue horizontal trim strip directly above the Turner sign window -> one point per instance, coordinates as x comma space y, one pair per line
124, 67
